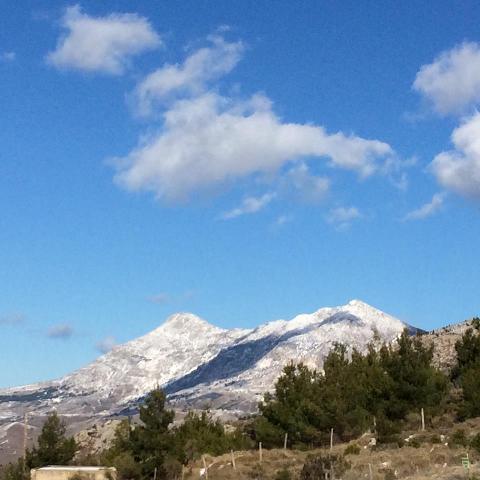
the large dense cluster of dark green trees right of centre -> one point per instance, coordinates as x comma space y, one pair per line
353, 393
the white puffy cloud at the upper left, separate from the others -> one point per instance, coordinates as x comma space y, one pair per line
102, 44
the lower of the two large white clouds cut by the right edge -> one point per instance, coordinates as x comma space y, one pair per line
459, 169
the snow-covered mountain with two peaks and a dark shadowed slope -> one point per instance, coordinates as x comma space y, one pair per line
198, 364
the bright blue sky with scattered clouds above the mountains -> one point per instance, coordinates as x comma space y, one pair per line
245, 161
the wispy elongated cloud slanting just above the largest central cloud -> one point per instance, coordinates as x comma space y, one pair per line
191, 77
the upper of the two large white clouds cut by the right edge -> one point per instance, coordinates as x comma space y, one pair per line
452, 81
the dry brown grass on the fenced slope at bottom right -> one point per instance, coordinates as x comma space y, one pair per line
428, 461
